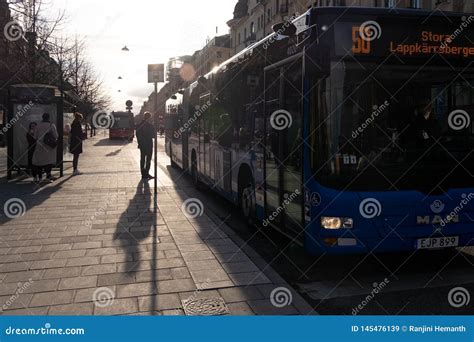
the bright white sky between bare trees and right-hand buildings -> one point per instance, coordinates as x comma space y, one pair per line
153, 30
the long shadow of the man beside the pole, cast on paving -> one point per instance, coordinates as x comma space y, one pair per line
135, 225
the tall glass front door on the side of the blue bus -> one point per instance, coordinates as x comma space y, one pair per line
284, 145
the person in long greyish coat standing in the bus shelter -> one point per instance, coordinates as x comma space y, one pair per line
44, 158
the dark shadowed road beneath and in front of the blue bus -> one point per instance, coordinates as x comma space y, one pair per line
413, 283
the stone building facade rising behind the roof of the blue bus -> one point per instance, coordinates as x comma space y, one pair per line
253, 19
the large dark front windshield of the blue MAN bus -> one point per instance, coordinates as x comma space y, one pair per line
381, 128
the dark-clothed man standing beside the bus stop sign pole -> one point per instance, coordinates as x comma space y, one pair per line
145, 134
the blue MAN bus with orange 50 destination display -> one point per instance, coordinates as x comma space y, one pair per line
349, 130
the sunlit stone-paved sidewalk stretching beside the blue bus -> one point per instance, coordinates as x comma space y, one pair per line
87, 246
